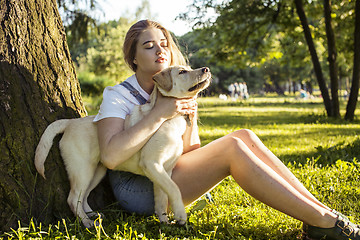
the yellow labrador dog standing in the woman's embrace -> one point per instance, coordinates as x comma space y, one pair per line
80, 151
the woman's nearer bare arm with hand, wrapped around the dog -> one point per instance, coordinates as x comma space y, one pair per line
117, 145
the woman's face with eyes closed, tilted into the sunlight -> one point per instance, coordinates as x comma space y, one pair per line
152, 52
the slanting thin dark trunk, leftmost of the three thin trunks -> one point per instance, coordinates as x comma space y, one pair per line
315, 60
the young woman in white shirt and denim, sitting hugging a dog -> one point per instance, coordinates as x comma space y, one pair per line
149, 48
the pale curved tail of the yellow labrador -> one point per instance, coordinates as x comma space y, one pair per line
46, 142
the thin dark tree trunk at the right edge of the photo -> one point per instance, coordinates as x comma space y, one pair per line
354, 92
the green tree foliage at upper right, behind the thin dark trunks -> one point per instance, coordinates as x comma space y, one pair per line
266, 37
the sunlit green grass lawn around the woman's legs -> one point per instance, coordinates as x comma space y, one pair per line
323, 153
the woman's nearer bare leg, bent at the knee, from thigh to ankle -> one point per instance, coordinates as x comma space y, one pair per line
198, 171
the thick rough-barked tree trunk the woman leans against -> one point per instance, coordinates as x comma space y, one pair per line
37, 86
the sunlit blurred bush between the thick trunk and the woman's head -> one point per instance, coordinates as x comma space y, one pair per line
100, 61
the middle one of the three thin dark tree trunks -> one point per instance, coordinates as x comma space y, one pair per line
332, 54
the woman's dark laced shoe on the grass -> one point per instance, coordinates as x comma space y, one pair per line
343, 230
